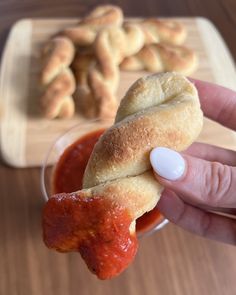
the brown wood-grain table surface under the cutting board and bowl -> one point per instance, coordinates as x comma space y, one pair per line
171, 261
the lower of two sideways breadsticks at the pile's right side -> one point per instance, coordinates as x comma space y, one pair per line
161, 58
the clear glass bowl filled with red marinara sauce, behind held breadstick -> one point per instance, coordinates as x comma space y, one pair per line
65, 163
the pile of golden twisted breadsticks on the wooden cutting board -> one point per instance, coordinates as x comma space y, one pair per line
81, 64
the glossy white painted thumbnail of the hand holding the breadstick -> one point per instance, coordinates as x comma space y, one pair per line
167, 163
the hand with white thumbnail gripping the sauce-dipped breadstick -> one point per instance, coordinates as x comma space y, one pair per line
202, 176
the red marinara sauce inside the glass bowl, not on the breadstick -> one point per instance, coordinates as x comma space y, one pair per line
69, 171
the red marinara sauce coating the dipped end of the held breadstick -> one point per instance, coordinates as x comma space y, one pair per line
96, 227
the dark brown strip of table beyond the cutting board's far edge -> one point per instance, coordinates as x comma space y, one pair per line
221, 13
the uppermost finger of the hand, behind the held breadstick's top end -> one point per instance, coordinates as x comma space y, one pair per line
218, 103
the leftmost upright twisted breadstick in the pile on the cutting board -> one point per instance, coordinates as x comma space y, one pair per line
57, 79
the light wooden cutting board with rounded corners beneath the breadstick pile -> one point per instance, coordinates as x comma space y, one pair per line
25, 136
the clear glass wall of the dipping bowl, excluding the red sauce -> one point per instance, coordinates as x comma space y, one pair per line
61, 144
